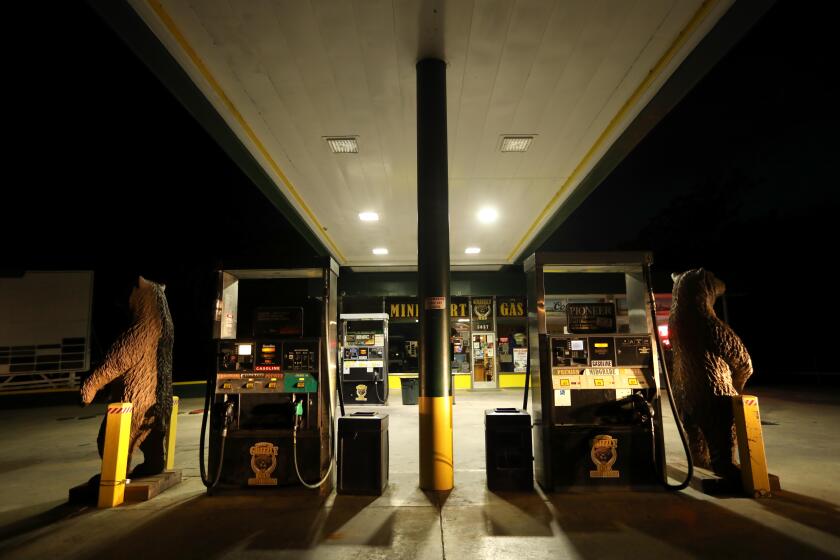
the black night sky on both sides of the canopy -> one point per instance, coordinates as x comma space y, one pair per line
111, 173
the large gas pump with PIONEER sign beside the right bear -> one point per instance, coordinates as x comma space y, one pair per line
596, 375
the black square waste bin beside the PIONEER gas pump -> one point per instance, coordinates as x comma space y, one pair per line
508, 450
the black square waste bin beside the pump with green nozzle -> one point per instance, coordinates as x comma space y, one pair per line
362, 459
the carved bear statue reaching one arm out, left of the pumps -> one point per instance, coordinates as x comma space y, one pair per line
139, 368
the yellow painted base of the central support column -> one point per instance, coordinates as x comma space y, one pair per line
437, 468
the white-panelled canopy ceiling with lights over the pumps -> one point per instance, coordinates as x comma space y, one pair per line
562, 80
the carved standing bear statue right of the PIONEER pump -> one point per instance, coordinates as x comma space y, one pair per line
710, 366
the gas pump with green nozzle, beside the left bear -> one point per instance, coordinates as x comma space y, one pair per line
269, 402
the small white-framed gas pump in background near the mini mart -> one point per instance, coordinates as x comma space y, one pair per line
364, 358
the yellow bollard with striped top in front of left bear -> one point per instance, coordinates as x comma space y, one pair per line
115, 455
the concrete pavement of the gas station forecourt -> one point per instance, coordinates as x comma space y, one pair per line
47, 450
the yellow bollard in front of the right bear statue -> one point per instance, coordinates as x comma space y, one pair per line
751, 446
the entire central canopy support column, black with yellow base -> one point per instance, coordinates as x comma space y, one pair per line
436, 466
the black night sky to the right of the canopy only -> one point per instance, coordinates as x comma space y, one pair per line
738, 179
